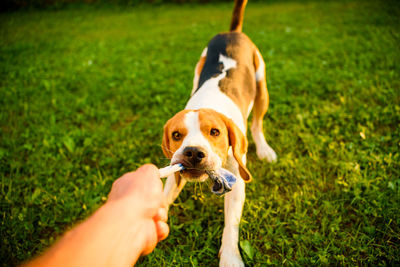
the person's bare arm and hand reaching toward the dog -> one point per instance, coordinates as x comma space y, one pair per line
128, 225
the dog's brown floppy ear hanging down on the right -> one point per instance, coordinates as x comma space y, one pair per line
239, 146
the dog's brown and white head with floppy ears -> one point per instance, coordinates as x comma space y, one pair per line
200, 140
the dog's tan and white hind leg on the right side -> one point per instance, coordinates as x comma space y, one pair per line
264, 151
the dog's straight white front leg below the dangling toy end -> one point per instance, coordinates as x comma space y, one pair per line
234, 200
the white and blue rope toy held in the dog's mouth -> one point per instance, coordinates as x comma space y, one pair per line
222, 178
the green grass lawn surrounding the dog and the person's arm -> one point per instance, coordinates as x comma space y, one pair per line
85, 92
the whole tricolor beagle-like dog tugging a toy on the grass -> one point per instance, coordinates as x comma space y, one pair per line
210, 133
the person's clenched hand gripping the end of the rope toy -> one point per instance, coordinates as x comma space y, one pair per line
140, 194
